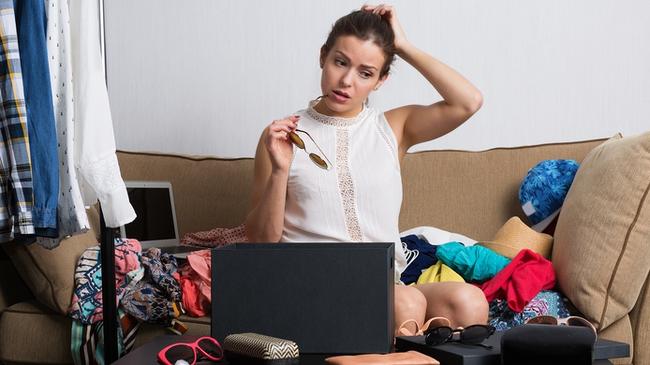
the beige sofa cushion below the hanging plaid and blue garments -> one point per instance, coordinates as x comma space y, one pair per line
49, 274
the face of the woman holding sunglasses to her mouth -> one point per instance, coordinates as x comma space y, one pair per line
350, 72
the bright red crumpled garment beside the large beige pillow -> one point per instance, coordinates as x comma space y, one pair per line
521, 280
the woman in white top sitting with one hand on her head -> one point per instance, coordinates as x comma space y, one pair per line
357, 193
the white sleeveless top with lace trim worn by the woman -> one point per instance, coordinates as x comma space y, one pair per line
359, 198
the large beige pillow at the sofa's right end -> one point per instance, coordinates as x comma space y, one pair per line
602, 240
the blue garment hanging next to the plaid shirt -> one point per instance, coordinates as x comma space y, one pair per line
30, 23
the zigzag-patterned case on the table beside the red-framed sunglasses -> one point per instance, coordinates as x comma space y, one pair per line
254, 348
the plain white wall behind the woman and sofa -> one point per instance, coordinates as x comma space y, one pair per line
206, 76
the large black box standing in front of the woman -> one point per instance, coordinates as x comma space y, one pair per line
326, 297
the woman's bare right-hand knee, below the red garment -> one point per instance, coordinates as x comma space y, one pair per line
463, 304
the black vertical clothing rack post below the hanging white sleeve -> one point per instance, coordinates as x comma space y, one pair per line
111, 318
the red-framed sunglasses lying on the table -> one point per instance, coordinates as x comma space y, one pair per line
203, 348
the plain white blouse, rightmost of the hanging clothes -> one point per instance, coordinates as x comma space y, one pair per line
95, 159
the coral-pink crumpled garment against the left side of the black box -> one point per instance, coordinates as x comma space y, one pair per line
196, 282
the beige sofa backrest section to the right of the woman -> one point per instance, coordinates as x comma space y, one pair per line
473, 193
